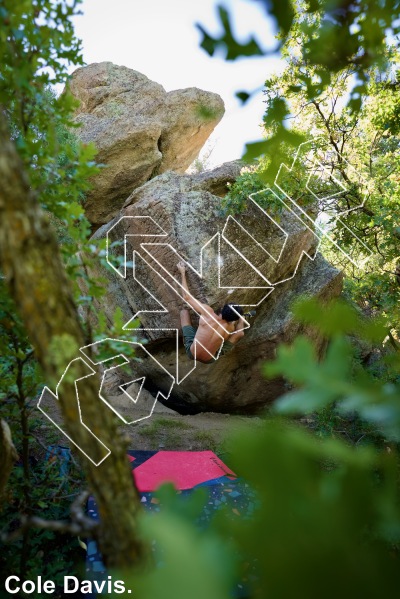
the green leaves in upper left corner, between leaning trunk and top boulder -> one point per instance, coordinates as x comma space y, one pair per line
37, 43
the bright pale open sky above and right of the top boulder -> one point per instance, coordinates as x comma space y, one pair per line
159, 38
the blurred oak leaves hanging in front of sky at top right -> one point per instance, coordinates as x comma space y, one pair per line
321, 39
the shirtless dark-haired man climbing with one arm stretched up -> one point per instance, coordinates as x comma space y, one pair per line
228, 322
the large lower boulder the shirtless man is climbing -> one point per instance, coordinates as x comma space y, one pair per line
259, 260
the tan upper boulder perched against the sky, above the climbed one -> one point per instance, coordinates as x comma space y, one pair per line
139, 129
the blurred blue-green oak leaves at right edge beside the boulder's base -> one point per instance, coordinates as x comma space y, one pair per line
333, 380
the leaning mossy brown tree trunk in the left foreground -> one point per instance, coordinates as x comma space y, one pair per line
30, 260
